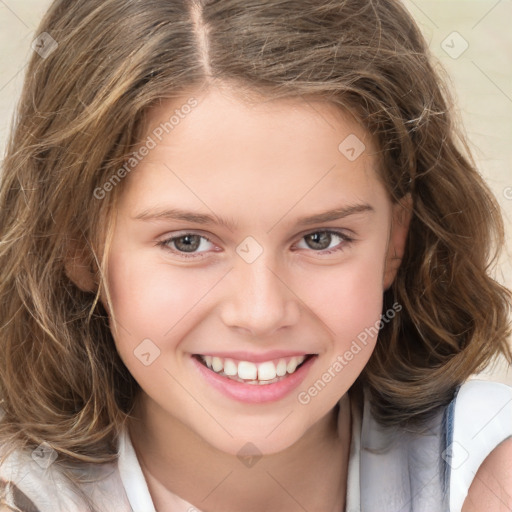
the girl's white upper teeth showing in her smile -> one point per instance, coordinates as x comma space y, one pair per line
252, 373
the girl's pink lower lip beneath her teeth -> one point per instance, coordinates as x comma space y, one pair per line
255, 393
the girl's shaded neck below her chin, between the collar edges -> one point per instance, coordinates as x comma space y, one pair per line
309, 475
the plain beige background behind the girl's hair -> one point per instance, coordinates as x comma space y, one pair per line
471, 39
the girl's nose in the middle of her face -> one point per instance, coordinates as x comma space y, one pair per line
258, 299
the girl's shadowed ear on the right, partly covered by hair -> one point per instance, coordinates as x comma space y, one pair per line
401, 218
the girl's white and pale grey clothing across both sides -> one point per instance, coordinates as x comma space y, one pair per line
389, 470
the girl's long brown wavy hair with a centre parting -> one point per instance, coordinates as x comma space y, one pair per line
78, 120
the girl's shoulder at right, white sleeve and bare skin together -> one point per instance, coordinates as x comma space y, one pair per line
480, 447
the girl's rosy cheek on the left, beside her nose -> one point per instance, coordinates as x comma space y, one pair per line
155, 302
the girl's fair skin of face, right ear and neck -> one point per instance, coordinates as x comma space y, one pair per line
262, 165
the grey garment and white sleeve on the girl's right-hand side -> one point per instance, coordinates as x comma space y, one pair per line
431, 470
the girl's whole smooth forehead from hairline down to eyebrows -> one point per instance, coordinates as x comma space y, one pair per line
215, 146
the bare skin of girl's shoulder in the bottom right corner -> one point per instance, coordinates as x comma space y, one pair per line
491, 488
